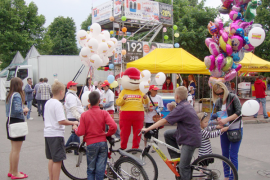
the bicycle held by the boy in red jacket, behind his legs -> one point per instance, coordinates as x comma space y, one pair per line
126, 167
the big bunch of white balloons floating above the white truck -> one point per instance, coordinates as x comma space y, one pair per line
97, 46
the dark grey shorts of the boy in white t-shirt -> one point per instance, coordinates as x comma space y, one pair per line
55, 148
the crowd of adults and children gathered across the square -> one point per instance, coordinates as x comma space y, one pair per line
96, 122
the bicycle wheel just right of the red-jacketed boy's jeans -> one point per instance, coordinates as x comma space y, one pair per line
128, 168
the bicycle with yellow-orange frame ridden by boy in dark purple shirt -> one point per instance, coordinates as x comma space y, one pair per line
204, 167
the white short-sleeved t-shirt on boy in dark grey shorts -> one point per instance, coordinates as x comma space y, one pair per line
54, 112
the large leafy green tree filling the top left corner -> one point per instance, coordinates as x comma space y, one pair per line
20, 28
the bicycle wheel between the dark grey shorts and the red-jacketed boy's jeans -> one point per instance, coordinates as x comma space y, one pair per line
75, 166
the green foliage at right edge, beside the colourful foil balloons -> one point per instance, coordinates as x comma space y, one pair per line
262, 18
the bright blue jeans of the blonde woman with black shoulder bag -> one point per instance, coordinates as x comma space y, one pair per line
230, 150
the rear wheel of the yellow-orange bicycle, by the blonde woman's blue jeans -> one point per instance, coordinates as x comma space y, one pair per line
213, 166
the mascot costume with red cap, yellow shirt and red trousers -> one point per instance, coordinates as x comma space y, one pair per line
131, 101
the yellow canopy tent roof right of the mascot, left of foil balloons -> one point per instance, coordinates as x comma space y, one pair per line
171, 60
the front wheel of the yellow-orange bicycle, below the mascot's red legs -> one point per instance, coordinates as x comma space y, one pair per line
150, 167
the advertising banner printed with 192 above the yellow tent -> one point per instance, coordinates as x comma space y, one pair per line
137, 50
